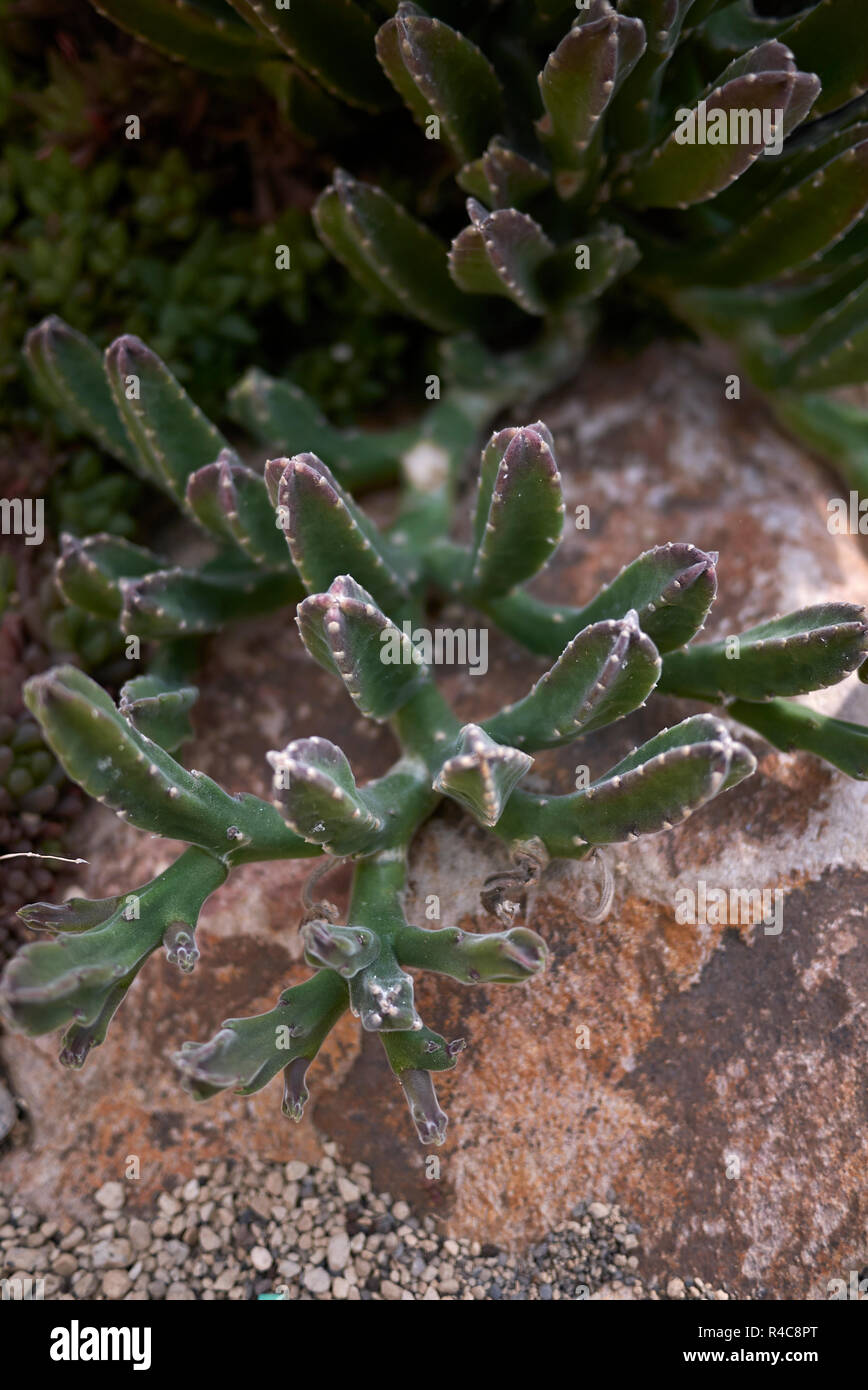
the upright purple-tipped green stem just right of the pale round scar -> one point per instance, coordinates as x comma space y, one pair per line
520, 511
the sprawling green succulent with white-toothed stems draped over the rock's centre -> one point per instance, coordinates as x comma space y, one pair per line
364, 587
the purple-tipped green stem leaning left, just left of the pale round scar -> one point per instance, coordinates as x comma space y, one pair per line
329, 536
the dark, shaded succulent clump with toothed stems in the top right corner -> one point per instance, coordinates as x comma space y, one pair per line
582, 134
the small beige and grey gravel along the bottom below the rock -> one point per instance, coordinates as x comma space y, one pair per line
251, 1229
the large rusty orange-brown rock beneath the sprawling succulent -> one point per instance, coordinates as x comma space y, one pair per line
723, 1092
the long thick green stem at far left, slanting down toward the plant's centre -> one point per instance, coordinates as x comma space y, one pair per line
137, 779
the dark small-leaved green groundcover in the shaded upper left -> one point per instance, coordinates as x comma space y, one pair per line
113, 234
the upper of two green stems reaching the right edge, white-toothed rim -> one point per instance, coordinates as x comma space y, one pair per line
791, 655
